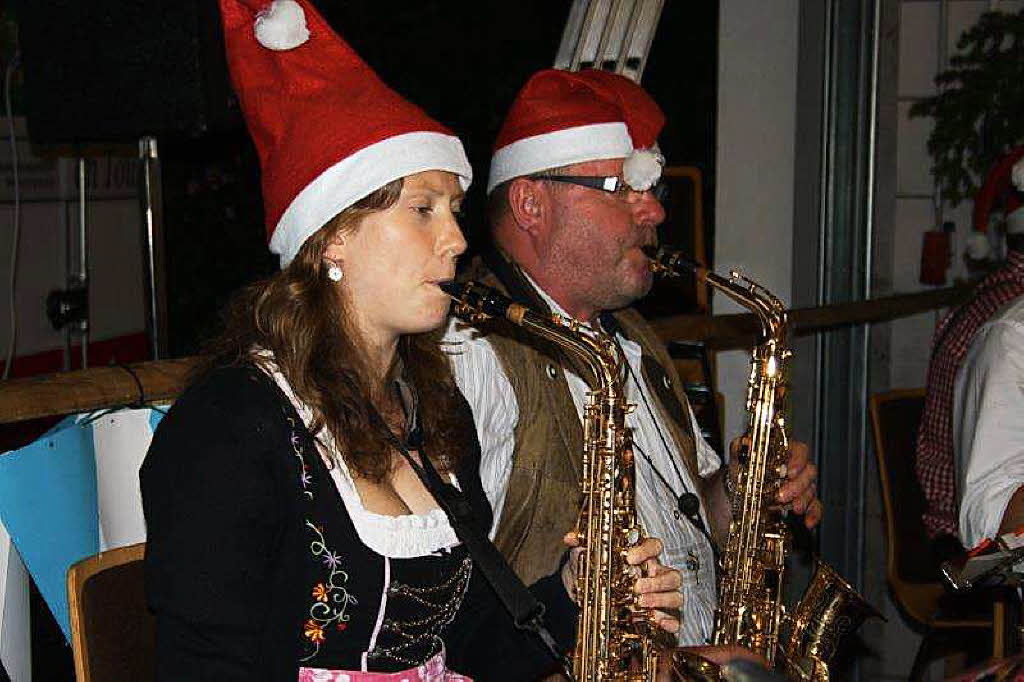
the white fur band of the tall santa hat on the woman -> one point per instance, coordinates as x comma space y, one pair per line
360, 175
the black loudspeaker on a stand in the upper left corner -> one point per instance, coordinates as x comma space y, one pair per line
112, 71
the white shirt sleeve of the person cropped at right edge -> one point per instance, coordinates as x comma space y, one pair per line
989, 429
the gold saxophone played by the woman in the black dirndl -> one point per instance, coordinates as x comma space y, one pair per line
616, 640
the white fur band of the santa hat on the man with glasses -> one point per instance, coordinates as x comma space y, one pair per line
562, 148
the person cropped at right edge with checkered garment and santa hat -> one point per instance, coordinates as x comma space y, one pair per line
966, 368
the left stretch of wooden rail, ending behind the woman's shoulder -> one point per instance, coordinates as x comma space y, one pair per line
96, 389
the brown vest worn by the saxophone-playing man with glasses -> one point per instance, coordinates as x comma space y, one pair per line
543, 499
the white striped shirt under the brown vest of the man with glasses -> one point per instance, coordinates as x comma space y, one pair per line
482, 379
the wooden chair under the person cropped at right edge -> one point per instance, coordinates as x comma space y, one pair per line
912, 572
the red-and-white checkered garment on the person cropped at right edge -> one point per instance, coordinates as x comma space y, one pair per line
934, 459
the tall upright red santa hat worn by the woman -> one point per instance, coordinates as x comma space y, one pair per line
328, 132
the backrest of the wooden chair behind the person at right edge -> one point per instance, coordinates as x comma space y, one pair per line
895, 417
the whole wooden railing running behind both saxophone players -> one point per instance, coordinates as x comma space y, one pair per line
162, 381
